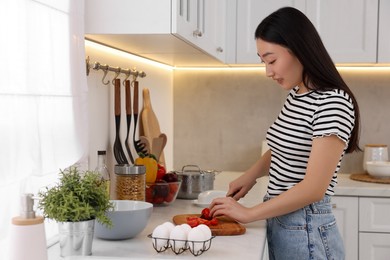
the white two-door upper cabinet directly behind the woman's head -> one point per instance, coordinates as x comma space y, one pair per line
348, 28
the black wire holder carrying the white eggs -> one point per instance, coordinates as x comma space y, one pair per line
189, 245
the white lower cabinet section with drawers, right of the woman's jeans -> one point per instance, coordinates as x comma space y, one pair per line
364, 225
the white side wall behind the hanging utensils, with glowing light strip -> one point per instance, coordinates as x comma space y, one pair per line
101, 101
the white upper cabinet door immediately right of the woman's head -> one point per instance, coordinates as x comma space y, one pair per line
348, 28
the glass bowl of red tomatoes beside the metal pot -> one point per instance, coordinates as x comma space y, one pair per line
163, 191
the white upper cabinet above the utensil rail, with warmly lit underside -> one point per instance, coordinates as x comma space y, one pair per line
175, 32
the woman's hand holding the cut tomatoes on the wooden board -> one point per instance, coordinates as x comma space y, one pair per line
229, 207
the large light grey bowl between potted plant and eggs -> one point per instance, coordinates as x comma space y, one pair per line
129, 218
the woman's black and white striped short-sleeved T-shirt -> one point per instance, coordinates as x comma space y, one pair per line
304, 117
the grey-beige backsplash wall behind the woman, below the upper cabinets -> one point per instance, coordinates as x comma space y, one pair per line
221, 116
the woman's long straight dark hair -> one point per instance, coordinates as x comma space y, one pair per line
291, 29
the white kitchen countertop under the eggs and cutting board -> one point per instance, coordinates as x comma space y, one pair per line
223, 247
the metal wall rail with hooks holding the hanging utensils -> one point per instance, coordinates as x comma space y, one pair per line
118, 70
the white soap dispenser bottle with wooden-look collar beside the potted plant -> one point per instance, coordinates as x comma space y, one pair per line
27, 233
